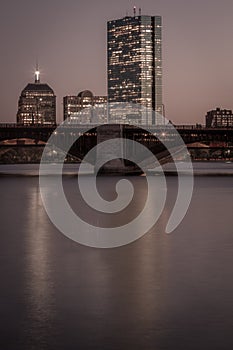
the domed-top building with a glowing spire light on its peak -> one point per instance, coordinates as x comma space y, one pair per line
37, 104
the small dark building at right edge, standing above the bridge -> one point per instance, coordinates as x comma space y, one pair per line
219, 118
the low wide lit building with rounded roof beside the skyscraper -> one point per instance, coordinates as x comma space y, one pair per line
85, 108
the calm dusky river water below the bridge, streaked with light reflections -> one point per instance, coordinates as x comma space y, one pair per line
160, 292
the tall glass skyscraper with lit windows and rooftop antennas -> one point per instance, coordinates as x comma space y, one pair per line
135, 66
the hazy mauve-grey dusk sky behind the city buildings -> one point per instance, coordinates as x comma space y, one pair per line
68, 38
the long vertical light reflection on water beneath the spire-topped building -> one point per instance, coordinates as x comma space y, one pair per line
39, 286
